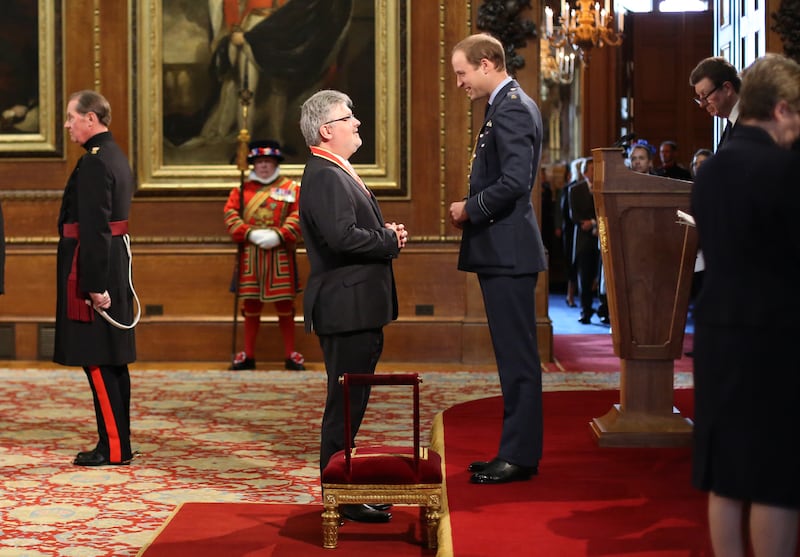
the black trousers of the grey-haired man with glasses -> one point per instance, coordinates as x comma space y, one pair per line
356, 352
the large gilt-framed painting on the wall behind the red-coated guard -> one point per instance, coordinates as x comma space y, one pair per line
192, 60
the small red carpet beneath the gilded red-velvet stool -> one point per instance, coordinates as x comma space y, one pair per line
265, 530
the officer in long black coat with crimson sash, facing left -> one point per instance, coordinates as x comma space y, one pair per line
92, 273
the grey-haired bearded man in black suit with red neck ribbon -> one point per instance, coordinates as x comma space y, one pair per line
350, 294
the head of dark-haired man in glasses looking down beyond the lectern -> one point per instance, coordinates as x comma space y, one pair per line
716, 84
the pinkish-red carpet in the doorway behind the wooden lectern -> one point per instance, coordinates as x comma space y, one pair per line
596, 353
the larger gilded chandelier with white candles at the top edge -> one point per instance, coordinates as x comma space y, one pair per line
584, 28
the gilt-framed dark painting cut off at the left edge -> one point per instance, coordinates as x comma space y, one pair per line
30, 81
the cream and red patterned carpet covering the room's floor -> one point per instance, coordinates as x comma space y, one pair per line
204, 435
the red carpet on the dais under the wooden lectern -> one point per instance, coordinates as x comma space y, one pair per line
585, 501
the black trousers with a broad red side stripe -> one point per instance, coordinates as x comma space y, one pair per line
111, 389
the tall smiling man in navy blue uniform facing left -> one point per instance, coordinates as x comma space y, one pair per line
502, 244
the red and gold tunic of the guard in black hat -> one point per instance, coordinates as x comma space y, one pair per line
266, 275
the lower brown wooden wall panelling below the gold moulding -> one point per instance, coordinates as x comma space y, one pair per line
188, 284
